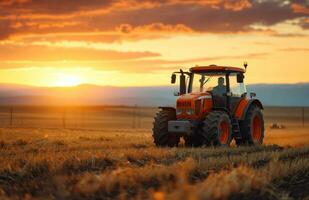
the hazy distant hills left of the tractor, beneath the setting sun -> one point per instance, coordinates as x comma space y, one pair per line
87, 95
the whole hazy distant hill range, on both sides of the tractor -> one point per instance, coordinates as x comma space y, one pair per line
270, 94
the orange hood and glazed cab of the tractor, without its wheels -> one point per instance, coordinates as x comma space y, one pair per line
203, 89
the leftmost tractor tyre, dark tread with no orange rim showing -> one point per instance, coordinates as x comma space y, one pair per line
161, 136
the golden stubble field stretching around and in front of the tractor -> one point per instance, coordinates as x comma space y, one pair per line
121, 162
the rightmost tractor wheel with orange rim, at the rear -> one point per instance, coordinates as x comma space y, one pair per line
252, 128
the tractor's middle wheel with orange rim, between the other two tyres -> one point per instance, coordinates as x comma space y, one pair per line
217, 129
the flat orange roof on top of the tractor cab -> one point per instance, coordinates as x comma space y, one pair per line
215, 68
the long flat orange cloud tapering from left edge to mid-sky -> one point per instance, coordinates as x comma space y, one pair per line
35, 53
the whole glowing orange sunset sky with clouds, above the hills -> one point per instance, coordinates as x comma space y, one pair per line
140, 42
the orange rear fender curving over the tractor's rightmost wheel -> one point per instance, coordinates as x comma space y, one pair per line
244, 106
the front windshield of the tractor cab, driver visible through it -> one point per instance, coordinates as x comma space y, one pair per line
209, 83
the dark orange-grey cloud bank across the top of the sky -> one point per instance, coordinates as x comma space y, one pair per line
20, 17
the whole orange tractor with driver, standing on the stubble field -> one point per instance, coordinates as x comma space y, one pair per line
212, 109
